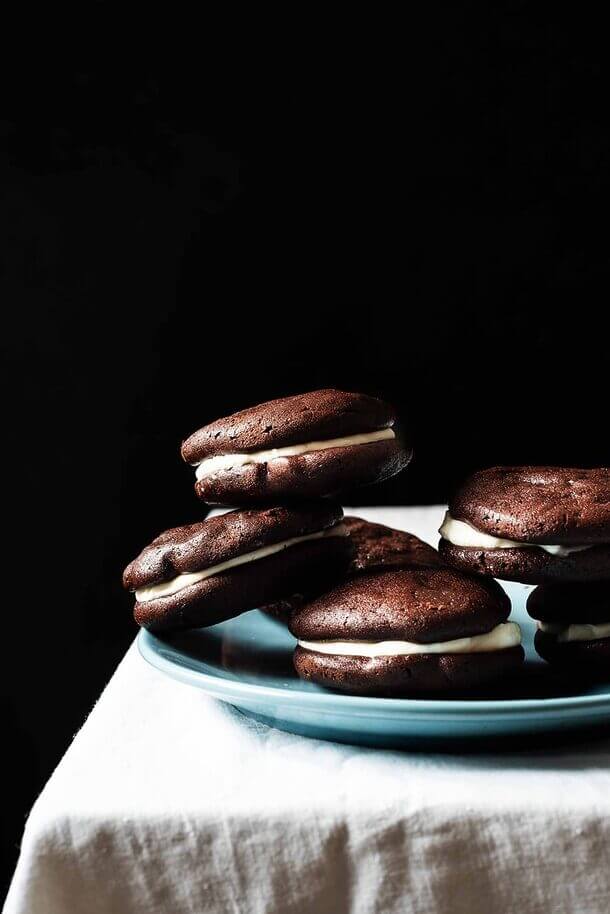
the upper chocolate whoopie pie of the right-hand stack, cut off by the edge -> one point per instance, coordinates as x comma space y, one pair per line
531, 524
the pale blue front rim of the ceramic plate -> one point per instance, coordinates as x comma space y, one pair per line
225, 689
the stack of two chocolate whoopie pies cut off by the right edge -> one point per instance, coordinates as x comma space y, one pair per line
547, 526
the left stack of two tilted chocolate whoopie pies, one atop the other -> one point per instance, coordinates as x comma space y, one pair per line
279, 460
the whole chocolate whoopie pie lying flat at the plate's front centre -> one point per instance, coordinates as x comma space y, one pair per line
407, 631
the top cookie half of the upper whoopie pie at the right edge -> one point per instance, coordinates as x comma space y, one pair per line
550, 505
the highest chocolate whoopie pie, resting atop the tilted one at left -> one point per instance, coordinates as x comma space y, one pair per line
305, 446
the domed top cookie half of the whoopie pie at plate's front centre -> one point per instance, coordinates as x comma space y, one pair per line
411, 604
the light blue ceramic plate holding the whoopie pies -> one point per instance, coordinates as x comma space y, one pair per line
247, 662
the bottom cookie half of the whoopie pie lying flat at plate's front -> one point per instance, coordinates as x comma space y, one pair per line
413, 674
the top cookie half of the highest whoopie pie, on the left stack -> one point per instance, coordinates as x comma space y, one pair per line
318, 415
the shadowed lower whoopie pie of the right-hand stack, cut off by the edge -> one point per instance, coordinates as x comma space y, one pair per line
573, 624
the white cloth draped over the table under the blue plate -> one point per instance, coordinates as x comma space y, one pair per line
168, 801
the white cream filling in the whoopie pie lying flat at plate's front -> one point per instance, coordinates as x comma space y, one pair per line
503, 636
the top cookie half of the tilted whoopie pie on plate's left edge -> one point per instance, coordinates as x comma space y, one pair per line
218, 539
